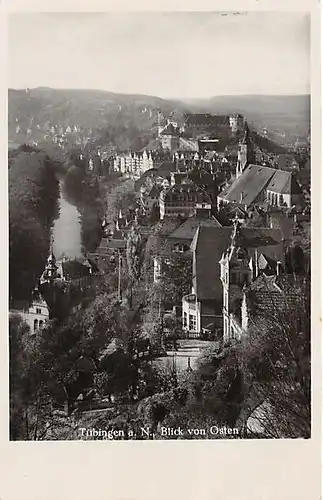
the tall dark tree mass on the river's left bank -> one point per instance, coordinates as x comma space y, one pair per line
33, 195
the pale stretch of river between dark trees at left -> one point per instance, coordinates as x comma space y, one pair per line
66, 230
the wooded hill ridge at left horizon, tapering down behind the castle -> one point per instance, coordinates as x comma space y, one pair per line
86, 108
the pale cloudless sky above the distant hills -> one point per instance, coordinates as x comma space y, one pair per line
170, 55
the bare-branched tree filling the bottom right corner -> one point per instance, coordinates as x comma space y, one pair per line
275, 356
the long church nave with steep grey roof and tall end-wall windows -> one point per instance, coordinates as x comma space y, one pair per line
263, 185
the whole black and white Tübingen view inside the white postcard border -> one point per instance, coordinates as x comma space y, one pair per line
159, 191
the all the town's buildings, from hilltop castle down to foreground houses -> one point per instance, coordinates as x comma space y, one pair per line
212, 185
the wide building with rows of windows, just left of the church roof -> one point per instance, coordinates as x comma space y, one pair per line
182, 199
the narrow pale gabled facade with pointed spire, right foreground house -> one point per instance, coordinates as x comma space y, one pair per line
235, 273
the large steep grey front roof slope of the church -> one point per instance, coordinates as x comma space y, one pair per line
246, 188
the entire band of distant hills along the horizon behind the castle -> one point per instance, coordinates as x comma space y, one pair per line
40, 108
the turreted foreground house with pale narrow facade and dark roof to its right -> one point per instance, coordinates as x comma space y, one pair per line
251, 252
